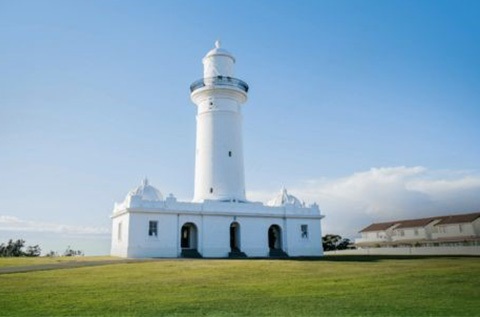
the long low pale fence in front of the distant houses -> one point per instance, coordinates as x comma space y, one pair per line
458, 250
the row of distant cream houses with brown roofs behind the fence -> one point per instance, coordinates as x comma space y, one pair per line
451, 230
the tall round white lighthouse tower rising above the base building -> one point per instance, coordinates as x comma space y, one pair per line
219, 171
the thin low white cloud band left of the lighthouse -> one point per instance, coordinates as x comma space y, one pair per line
10, 223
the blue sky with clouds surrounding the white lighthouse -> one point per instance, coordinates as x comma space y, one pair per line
369, 108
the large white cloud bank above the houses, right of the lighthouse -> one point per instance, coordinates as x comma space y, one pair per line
382, 194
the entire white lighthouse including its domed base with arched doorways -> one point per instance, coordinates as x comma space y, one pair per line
220, 221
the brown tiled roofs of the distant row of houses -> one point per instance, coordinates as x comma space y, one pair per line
421, 222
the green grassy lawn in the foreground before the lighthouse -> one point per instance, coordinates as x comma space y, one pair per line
332, 286
